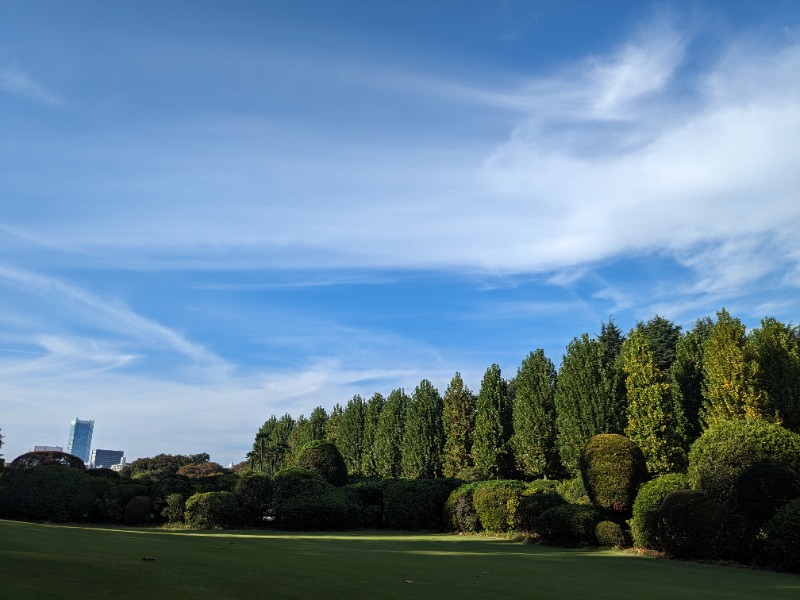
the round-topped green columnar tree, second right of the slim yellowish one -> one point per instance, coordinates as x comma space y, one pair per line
534, 417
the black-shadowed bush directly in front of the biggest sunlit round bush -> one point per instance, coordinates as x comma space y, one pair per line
756, 494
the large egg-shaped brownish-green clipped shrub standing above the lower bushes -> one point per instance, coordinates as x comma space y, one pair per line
612, 468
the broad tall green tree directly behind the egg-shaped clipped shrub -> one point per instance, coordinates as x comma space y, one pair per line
585, 400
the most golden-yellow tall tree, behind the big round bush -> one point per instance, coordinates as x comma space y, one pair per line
731, 389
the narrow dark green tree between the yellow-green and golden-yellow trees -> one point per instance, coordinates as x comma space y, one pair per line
686, 376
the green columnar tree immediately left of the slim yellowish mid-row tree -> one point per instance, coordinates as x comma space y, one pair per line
423, 436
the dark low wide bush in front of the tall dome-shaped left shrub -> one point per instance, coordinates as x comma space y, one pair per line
332, 509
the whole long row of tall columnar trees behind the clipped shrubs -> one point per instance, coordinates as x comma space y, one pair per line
658, 385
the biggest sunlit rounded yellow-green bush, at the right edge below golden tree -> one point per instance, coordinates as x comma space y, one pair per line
725, 450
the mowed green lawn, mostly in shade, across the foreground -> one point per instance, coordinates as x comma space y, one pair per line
51, 561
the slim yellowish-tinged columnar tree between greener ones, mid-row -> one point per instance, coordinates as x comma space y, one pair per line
459, 423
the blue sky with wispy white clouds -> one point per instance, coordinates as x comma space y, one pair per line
213, 212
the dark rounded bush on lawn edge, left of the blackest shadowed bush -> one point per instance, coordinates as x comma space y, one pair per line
689, 524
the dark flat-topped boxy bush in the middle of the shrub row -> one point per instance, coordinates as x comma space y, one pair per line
415, 503
